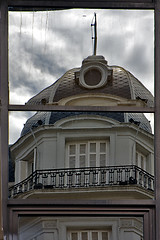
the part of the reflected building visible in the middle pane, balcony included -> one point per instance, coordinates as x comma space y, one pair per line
83, 155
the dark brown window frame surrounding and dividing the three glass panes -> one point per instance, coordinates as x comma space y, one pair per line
12, 209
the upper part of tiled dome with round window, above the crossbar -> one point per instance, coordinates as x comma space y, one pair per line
118, 82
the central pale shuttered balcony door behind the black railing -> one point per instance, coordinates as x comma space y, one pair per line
87, 154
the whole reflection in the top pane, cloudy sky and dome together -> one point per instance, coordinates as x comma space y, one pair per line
43, 46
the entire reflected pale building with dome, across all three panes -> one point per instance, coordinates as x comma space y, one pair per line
86, 155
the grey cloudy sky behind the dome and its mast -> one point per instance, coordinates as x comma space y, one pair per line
44, 45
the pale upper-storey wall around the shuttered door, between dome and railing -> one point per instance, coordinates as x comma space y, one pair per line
49, 149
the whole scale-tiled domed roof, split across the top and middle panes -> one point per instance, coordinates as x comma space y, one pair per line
94, 77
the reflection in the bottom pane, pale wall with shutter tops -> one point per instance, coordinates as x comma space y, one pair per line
82, 228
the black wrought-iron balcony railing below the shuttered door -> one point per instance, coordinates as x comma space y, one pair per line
84, 178
